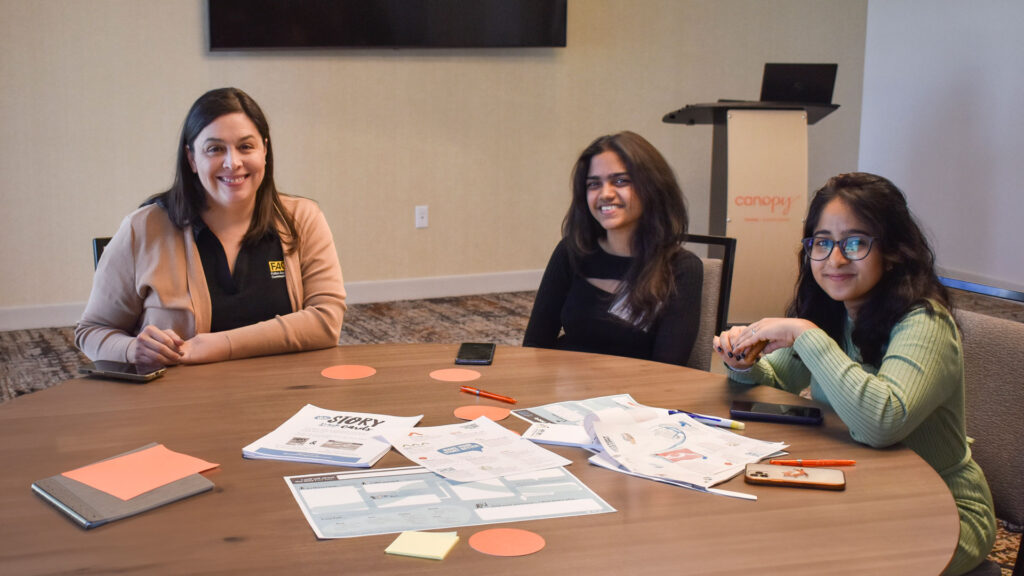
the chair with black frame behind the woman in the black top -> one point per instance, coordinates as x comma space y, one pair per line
714, 296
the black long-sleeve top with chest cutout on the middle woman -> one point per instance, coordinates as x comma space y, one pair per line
570, 313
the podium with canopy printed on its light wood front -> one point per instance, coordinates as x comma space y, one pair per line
758, 194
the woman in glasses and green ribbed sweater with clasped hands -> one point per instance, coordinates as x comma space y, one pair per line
870, 331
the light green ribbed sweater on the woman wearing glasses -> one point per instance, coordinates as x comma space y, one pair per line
916, 397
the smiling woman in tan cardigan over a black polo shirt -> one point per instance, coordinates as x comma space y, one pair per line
222, 266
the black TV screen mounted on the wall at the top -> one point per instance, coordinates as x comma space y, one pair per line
238, 25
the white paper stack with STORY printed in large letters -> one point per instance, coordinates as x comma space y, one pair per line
328, 437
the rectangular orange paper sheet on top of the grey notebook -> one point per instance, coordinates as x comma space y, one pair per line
132, 475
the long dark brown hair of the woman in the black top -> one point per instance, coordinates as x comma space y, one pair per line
660, 233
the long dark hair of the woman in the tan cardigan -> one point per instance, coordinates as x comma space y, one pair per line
186, 200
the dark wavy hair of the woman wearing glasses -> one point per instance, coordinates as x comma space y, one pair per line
909, 281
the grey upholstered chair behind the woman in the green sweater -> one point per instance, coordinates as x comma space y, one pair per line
994, 372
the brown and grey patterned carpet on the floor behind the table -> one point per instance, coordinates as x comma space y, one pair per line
32, 360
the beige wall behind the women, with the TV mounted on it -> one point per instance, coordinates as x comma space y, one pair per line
94, 94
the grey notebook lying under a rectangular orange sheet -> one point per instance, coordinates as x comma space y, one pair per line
91, 508
